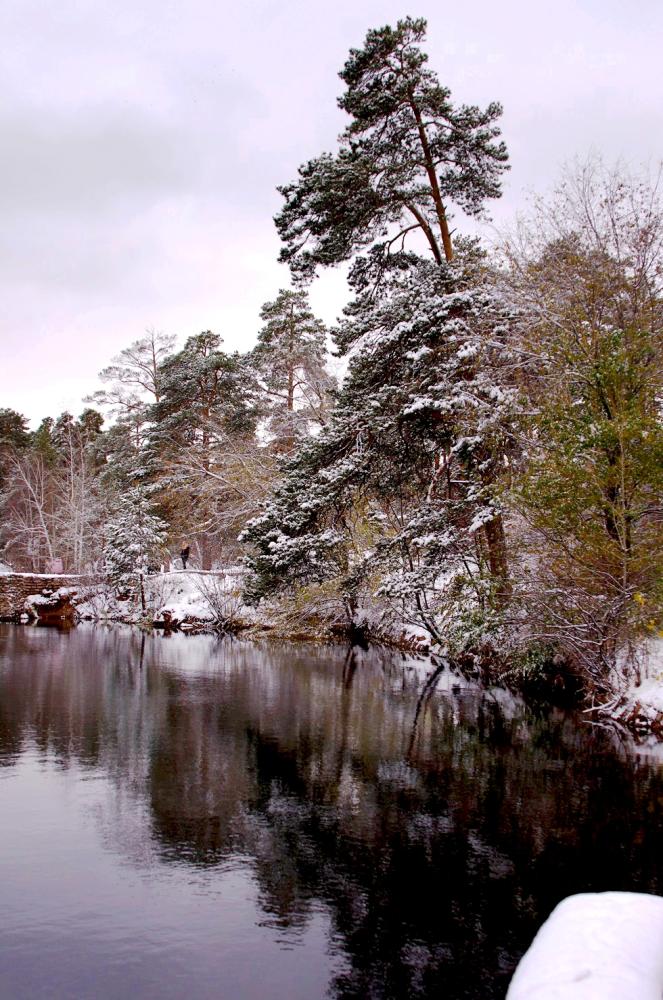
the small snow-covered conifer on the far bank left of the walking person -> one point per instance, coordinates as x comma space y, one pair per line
135, 536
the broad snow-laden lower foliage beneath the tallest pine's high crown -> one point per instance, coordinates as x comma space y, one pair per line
397, 491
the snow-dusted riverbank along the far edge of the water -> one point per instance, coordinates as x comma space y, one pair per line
198, 601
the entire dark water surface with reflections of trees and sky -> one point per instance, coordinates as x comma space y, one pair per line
201, 818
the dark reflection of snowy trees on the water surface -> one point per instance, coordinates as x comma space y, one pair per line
436, 825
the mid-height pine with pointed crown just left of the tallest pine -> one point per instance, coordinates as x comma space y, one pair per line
289, 361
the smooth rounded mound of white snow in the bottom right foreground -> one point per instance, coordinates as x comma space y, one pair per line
595, 946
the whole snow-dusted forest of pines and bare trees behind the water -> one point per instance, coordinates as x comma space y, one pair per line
474, 450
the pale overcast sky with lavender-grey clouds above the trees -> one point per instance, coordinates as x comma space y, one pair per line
142, 142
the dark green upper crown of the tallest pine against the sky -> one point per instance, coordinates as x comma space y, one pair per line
406, 155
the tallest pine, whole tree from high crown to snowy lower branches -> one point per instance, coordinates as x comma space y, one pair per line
403, 483
